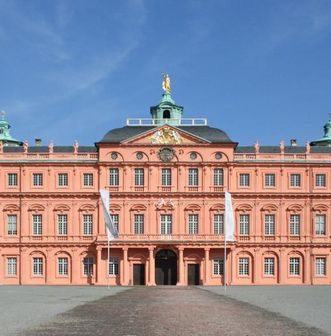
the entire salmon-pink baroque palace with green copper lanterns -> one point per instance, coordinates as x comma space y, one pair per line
166, 177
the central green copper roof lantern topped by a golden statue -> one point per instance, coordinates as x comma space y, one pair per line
167, 112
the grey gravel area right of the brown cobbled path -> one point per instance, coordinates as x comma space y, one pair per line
307, 304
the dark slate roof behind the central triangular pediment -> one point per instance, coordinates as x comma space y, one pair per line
211, 134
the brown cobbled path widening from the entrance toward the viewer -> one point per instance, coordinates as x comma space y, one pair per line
145, 311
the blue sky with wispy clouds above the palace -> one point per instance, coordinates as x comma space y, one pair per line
260, 70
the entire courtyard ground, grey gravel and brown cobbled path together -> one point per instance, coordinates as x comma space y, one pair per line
141, 311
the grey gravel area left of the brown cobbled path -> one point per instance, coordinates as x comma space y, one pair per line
25, 306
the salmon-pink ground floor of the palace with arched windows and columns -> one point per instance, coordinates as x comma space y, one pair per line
165, 264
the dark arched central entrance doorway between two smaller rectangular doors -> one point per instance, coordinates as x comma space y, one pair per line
166, 267
